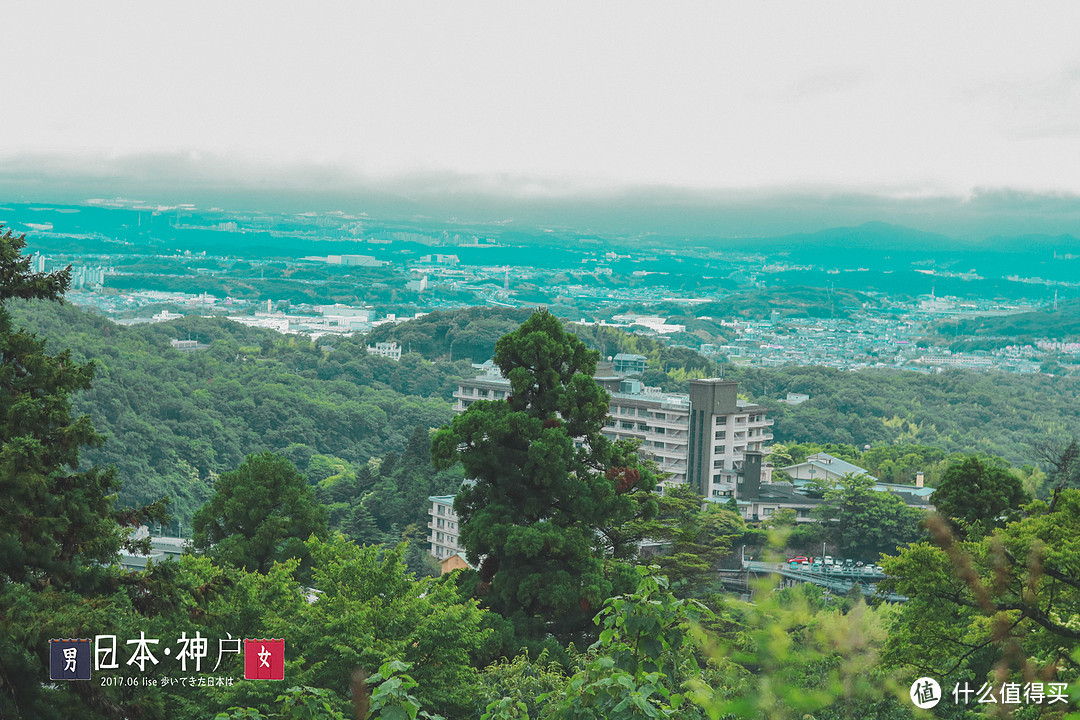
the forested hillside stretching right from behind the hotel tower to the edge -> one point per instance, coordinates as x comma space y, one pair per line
995, 413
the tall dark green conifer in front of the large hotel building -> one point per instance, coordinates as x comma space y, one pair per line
550, 494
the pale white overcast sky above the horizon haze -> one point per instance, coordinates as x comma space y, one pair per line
907, 99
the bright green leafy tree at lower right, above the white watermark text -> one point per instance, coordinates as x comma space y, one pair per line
1006, 603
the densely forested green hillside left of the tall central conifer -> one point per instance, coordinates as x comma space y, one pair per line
174, 420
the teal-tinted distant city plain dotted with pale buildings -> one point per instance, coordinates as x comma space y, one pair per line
679, 297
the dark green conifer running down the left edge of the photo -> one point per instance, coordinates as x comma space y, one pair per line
60, 532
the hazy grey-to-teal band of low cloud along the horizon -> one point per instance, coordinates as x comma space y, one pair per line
526, 202
